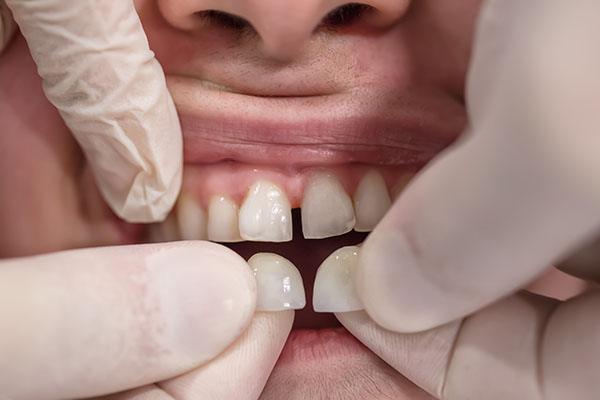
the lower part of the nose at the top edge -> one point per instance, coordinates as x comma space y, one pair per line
284, 26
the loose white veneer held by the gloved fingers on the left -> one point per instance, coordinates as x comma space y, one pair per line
279, 284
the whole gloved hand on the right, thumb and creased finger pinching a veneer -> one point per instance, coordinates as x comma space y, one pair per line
517, 193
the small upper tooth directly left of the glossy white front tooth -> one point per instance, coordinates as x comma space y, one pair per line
223, 225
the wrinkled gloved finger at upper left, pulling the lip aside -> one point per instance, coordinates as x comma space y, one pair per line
99, 72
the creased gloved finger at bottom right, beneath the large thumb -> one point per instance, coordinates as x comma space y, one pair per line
523, 347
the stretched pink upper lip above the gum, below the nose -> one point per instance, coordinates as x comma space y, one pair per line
312, 130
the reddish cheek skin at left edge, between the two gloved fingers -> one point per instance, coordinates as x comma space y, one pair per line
39, 163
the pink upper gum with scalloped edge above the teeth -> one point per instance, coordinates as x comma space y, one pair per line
232, 179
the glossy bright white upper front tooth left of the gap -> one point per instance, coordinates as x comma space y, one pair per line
266, 214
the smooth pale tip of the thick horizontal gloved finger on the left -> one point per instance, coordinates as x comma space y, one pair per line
207, 294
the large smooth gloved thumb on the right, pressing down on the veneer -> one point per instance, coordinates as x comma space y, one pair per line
517, 193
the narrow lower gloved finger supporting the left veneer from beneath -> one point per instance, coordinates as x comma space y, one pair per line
241, 371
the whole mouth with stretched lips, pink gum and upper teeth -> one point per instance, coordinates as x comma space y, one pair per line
300, 178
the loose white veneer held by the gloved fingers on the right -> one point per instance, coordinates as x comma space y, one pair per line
334, 284
